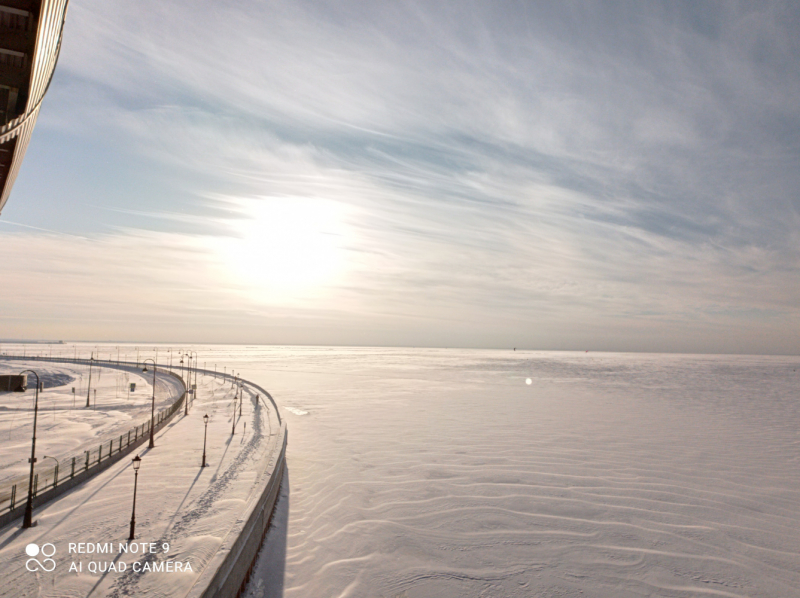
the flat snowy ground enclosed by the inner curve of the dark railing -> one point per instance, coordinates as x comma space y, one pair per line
65, 426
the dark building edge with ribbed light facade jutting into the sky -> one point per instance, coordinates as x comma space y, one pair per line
30, 40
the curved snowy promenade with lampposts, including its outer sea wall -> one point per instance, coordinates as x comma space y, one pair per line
214, 518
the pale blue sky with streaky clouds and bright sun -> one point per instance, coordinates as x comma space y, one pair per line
553, 175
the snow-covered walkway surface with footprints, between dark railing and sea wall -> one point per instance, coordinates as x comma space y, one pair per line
185, 514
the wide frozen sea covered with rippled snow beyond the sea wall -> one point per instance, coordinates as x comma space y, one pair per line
419, 473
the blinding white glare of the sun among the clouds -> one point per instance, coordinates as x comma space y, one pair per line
287, 245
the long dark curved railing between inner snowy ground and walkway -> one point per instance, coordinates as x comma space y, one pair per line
88, 462
